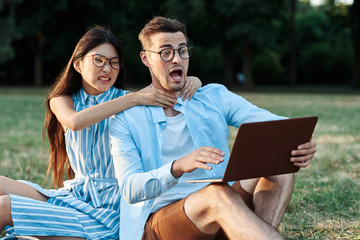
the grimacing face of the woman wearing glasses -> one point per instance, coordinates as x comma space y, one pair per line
97, 80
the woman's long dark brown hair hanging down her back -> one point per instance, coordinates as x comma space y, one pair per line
68, 82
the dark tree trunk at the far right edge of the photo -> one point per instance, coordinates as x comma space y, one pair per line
355, 27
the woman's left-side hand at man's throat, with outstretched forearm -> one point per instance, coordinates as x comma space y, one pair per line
155, 97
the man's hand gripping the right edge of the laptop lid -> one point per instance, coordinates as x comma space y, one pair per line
304, 154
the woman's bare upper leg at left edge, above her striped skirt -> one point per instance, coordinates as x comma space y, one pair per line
10, 186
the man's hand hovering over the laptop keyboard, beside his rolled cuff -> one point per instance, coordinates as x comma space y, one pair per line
197, 159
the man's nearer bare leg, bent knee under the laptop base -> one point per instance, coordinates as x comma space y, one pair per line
218, 205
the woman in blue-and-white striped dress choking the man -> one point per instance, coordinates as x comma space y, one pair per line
85, 95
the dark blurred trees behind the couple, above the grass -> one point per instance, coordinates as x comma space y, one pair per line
240, 43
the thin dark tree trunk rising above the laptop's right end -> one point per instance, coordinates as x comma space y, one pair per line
292, 46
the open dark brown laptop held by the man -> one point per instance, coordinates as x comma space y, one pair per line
264, 148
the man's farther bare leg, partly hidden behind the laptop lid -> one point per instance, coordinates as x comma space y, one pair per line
271, 196
